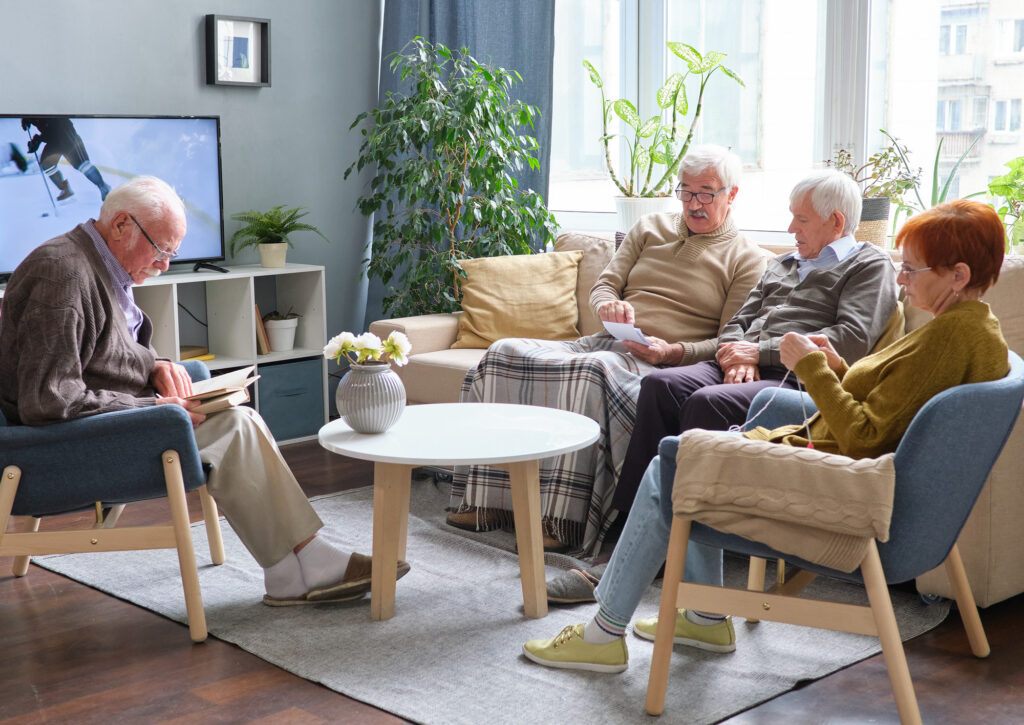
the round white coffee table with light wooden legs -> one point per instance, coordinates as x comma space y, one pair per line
514, 438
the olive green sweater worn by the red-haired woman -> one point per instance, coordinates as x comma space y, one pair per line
865, 410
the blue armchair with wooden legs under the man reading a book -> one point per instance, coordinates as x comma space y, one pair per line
105, 462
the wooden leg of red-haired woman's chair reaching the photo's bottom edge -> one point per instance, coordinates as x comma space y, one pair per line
892, 646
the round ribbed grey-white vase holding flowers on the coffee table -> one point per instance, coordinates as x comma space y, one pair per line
371, 398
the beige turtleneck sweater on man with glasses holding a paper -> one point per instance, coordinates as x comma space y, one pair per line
684, 287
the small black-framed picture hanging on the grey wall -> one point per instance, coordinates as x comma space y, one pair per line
238, 51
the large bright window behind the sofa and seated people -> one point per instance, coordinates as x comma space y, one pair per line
821, 75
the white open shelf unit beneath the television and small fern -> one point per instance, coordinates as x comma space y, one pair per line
227, 303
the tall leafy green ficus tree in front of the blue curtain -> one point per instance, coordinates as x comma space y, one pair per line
445, 154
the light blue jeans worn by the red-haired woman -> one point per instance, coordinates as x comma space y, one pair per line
642, 550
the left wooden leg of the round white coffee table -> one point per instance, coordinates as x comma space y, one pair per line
392, 486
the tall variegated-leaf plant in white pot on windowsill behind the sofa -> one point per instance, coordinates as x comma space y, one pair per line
656, 147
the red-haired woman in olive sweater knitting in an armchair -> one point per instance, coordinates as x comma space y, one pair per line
952, 254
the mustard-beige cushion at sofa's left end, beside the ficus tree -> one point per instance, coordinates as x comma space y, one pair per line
532, 295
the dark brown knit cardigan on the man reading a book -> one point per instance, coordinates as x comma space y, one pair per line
66, 351
